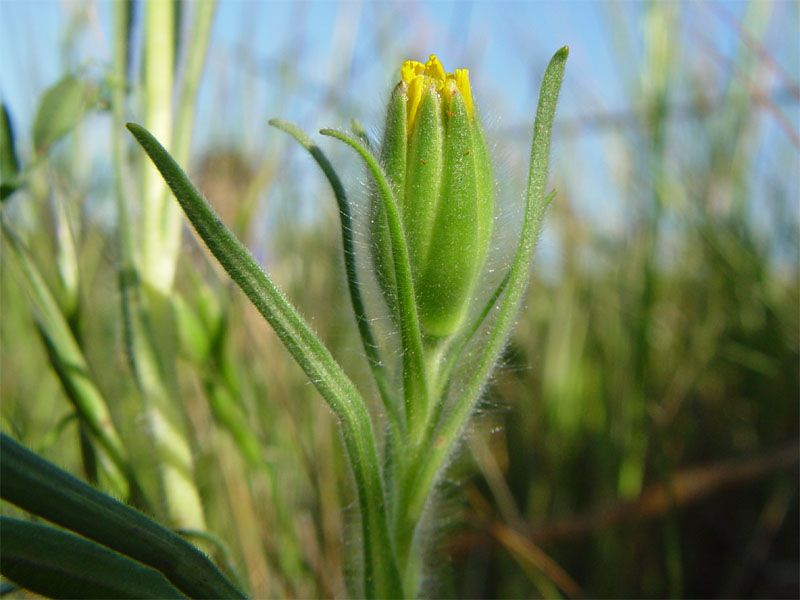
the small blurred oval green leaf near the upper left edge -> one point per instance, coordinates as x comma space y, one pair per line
61, 109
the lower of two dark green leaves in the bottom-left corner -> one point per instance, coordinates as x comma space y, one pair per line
54, 563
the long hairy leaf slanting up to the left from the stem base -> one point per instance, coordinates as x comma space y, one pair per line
380, 574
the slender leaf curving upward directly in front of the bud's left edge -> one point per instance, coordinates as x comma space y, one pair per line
415, 387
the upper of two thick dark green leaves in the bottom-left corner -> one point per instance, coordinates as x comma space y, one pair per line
43, 489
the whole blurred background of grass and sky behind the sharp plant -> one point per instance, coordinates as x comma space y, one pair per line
641, 437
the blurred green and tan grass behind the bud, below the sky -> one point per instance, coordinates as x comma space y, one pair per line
640, 438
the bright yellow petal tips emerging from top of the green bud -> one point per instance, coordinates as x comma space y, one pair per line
419, 77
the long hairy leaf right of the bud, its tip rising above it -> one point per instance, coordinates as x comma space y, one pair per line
442, 441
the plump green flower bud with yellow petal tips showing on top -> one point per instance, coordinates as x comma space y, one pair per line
437, 163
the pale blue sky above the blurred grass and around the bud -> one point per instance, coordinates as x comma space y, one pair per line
286, 58
